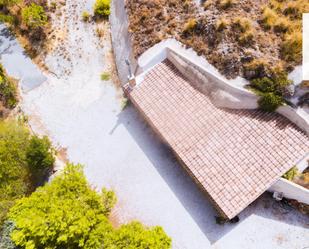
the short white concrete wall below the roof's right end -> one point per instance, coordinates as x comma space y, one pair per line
291, 190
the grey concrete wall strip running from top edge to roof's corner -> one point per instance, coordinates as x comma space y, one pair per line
121, 40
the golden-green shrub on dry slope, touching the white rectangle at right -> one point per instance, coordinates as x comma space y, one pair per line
291, 48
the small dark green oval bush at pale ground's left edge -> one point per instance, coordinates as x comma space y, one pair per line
40, 158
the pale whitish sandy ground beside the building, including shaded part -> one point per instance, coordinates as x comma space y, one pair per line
83, 114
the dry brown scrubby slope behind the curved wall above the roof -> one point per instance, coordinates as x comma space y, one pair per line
229, 33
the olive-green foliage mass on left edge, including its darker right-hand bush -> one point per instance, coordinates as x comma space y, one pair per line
21, 156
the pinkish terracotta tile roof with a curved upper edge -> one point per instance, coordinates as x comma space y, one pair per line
234, 155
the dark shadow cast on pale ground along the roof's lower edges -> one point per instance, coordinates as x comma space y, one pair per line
192, 199
